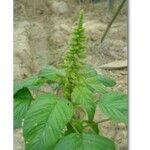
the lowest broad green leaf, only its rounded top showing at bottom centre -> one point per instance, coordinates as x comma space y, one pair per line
84, 141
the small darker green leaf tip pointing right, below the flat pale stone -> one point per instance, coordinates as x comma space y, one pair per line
106, 80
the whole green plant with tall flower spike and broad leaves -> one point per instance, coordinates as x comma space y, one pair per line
54, 122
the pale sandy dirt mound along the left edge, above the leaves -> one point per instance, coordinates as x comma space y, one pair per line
21, 50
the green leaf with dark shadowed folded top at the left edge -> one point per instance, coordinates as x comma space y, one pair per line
22, 101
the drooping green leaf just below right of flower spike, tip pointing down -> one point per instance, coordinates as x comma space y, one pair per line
84, 97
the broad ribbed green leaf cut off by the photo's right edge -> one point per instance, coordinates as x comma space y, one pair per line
114, 105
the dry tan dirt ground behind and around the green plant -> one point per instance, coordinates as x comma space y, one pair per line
41, 34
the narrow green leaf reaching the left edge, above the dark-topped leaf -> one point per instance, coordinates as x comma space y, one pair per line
31, 82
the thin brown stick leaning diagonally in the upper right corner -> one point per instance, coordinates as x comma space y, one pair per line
113, 19
